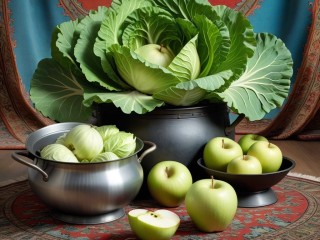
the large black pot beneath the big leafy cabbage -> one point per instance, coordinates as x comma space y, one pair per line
180, 133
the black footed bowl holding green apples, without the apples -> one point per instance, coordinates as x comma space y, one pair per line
253, 190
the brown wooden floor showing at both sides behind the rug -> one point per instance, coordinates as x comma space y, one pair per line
305, 153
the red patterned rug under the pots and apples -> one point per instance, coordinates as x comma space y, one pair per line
296, 215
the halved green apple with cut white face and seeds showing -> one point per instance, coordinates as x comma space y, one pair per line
158, 225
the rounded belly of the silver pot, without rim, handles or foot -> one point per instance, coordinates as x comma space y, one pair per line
87, 189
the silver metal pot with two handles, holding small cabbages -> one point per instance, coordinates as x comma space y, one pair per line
85, 193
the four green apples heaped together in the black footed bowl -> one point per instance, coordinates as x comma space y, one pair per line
252, 154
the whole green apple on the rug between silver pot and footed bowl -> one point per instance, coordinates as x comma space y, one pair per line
168, 182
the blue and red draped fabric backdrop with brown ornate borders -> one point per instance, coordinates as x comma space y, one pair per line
25, 34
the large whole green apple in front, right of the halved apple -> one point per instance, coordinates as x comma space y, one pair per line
211, 204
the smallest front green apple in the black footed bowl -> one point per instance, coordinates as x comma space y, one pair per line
245, 164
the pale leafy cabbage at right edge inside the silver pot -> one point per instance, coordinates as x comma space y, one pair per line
123, 144
